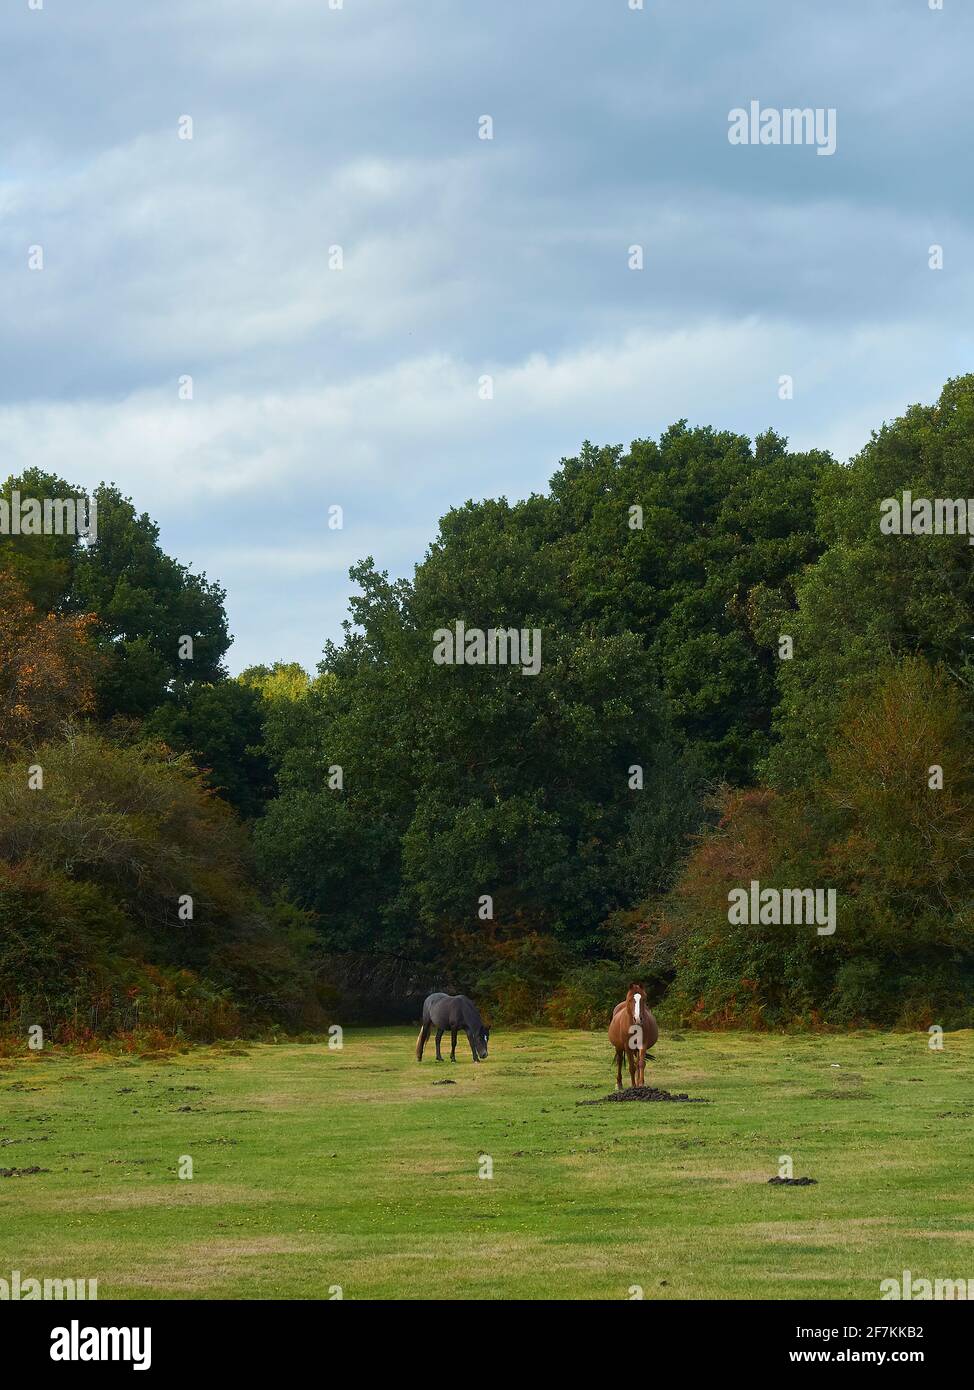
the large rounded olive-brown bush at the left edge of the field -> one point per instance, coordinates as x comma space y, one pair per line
97, 874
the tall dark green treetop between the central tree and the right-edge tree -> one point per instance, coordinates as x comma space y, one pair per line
718, 521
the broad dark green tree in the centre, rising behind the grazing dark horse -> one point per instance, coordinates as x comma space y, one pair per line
468, 782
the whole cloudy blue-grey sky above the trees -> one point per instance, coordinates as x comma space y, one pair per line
361, 126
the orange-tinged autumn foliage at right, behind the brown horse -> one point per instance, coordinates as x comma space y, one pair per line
890, 828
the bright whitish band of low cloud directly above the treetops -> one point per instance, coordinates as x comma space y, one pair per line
242, 484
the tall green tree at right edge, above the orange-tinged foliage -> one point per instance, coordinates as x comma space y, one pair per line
875, 598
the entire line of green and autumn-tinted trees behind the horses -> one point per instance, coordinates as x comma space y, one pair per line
743, 680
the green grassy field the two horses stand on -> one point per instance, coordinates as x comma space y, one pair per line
316, 1168
